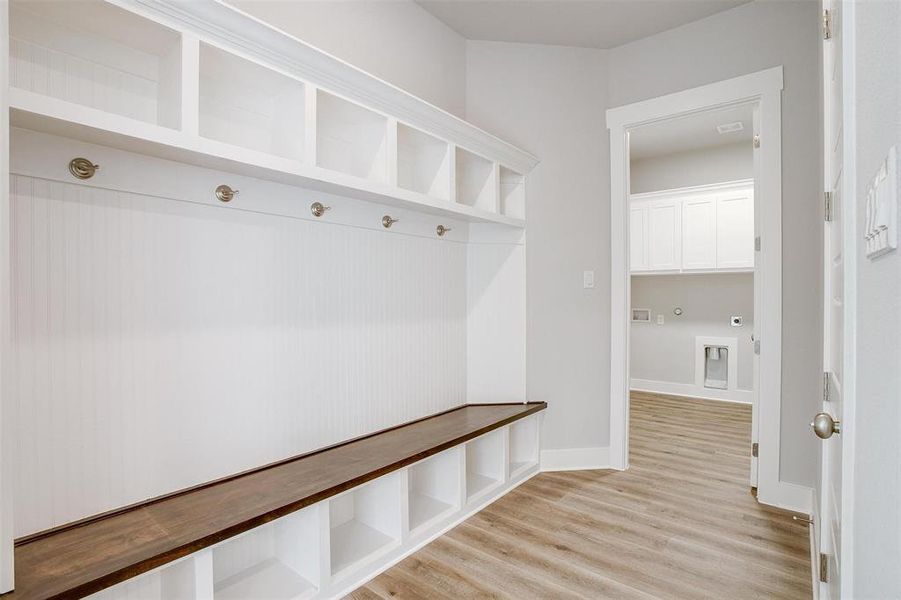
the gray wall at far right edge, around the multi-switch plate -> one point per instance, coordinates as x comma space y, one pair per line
877, 465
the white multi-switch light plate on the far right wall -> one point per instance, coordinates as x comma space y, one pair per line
881, 228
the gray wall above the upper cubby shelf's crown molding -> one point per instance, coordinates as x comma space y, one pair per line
398, 41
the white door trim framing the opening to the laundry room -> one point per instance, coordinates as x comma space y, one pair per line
764, 89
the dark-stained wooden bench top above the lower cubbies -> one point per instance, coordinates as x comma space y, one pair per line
84, 557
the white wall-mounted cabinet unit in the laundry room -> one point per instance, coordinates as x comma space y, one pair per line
693, 230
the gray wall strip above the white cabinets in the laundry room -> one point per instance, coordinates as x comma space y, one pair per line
692, 167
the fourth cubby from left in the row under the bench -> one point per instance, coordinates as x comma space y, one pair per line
434, 488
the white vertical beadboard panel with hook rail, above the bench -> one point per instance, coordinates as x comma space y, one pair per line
159, 343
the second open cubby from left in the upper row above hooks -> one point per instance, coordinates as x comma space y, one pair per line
247, 105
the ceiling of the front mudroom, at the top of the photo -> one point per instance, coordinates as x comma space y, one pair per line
586, 23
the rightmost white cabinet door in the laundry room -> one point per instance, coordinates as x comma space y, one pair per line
735, 230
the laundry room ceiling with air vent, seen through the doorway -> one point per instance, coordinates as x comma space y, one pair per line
690, 133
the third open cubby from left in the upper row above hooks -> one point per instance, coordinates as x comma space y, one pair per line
350, 138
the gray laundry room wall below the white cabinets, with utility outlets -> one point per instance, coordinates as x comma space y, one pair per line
667, 352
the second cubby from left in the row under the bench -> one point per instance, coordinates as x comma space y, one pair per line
279, 560
